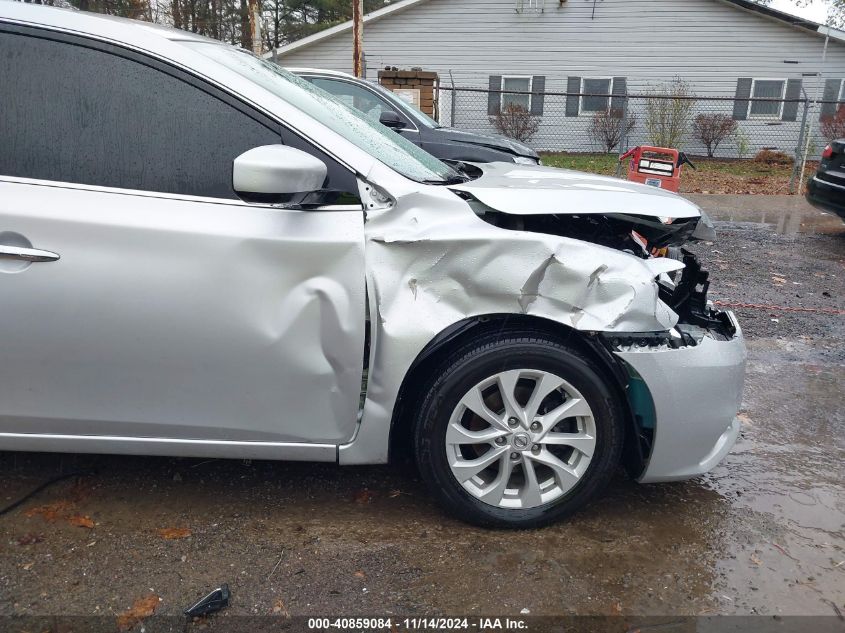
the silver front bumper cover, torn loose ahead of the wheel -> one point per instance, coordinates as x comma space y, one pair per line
696, 392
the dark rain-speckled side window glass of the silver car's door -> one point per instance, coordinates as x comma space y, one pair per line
91, 117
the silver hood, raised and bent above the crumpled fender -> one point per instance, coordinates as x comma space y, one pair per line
537, 190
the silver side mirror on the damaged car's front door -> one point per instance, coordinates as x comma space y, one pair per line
270, 171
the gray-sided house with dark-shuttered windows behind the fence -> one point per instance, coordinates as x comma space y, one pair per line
567, 60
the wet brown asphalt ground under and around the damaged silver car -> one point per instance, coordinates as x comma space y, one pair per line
764, 533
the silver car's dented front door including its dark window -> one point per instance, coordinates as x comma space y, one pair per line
169, 308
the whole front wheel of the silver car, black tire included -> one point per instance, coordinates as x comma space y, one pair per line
517, 431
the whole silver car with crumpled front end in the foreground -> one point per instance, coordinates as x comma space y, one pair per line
204, 255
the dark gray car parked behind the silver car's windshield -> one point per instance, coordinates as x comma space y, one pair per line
394, 112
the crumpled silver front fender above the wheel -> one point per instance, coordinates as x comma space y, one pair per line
432, 262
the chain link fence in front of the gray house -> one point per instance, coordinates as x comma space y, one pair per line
723, 130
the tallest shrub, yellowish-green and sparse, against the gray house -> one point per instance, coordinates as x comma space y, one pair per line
668, 117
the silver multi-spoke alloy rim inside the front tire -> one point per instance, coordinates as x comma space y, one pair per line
520, 439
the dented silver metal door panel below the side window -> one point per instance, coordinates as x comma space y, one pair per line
180, 319
